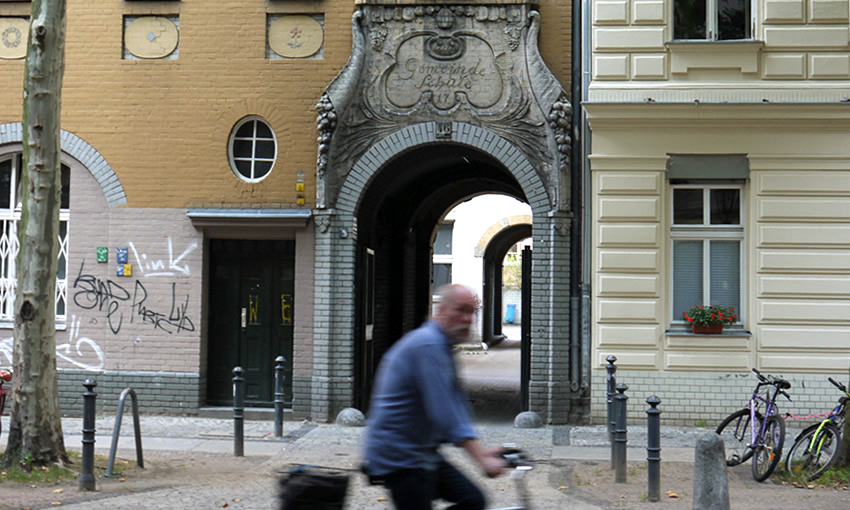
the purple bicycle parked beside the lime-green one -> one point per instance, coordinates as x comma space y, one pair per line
766, 431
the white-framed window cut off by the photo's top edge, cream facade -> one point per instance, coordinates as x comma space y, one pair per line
714, 20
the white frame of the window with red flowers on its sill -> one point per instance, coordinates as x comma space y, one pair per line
707, 232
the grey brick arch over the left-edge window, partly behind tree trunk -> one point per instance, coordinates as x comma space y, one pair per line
77, 148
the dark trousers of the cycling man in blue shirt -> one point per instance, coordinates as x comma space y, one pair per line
415, 489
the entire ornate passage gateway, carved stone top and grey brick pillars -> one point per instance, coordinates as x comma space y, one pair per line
432, 75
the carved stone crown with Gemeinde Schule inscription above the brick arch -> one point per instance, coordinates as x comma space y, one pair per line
467, 63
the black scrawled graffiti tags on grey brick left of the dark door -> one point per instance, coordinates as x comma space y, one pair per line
112, 299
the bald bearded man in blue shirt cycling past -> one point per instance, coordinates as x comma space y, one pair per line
417, 404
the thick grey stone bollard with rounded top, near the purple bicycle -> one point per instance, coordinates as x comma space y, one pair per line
711, 486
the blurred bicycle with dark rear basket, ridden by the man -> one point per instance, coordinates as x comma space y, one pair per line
324, 488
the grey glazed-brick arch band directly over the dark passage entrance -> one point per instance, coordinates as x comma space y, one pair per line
418, 135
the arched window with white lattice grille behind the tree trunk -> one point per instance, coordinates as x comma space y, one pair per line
10, 215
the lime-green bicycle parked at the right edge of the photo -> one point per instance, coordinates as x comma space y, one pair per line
816, 448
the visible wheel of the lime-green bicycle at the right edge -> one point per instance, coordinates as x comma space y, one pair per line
811, 456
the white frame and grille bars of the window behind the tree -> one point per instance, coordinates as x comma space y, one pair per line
10, 246
